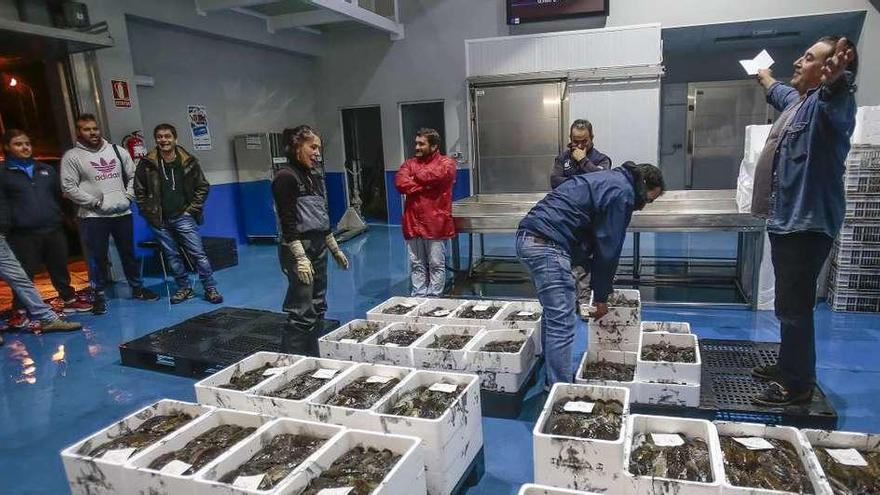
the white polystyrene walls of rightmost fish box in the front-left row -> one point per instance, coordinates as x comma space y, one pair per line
407, 476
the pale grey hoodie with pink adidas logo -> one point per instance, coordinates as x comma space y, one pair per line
96, 181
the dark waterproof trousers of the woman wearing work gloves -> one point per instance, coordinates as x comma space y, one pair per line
305, 305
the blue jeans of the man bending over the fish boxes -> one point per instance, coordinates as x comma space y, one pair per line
549, 267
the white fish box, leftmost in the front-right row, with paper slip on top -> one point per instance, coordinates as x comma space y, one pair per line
578, 439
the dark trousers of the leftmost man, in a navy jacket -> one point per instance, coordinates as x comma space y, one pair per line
34, 250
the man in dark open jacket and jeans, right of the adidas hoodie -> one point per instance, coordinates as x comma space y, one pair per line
171, 189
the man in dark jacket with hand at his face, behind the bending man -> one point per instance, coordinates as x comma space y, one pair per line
580, 157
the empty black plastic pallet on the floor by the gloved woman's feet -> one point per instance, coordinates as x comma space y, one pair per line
209, 342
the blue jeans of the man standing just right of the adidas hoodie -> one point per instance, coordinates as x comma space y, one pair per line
185, 230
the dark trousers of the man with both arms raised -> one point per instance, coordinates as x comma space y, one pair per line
797, 261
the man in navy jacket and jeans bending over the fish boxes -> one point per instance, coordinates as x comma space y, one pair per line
586, 218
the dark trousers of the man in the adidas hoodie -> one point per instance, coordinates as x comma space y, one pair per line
96, 232
